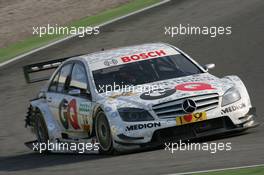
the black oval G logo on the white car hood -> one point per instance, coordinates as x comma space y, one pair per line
157, 94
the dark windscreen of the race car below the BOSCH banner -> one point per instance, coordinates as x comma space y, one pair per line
147, 71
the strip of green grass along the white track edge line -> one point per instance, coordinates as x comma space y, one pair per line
36, 42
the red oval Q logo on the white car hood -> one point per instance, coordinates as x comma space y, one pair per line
194, 86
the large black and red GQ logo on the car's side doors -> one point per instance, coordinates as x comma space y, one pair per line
69, 115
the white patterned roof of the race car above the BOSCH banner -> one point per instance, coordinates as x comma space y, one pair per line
123, 51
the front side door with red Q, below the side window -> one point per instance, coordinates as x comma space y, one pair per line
78, 102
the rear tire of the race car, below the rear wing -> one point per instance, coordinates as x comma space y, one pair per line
41, 130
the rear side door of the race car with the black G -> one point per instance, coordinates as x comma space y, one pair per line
56, 94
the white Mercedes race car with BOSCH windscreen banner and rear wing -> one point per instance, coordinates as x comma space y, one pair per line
134, 97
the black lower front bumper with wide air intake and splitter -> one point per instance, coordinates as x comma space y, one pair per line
196, 130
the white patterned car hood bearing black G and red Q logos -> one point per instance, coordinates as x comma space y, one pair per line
167, 90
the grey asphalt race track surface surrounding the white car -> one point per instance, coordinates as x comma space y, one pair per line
240, 53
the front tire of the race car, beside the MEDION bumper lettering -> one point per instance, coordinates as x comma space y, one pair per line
103, 134
